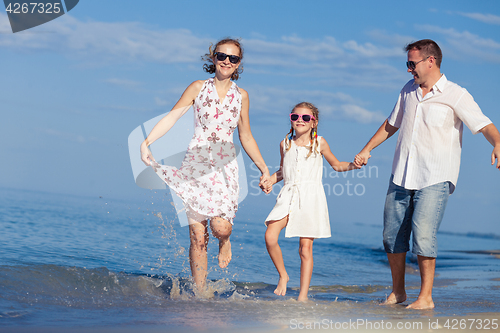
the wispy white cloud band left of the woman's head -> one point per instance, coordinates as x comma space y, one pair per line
117, 41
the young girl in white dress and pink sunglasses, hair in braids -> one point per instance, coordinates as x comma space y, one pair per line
301, 204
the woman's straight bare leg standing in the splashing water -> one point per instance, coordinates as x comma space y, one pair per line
198, 235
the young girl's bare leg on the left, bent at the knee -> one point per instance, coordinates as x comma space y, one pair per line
272, 234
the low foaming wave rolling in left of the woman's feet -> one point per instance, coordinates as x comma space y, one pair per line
75, 286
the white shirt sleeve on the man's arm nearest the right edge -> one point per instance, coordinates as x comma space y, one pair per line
469, 112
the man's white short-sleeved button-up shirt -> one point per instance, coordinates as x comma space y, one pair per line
430, 133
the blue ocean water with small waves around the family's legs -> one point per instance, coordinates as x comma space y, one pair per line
68, 261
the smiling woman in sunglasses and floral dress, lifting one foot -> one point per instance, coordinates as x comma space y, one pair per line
208, 178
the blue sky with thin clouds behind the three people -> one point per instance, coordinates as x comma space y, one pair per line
74, 88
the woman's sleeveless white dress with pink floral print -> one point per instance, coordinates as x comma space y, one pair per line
207, 181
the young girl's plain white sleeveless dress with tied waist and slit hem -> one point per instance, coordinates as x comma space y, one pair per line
302, 197
